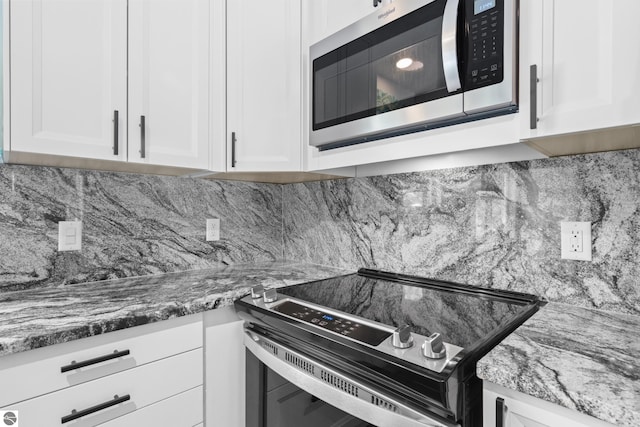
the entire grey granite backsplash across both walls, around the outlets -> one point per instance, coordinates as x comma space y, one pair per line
494, 225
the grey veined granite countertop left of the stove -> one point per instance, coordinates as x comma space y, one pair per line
40, 317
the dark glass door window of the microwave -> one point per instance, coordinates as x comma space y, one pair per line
396, 66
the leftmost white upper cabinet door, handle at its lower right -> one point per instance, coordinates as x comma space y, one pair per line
68, 77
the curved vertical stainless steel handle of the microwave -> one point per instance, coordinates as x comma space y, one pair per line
450, 45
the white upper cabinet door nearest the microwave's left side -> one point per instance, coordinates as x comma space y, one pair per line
263, 84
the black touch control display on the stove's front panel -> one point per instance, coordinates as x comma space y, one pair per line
348, 328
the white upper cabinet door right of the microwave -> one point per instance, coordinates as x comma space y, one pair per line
588, 65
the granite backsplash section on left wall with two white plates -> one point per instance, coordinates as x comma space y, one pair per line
132, 224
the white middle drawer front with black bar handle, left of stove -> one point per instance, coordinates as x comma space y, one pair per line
144, 386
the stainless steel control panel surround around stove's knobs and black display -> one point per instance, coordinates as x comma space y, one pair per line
412, 354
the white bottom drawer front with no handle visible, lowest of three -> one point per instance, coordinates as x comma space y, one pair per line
183, 410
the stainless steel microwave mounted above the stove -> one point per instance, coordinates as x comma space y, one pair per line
411, 66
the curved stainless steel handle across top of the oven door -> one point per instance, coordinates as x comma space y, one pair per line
335, 388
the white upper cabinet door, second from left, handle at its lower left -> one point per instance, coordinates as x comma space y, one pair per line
169, 82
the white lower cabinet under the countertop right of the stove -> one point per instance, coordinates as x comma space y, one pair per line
521, 410
